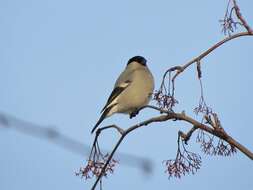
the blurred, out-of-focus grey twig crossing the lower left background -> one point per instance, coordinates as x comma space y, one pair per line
54, 136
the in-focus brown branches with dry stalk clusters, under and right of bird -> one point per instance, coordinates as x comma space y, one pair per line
166, 101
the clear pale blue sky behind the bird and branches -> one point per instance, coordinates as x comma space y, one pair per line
59, 61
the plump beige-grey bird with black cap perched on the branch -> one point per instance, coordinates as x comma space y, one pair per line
132, 90
